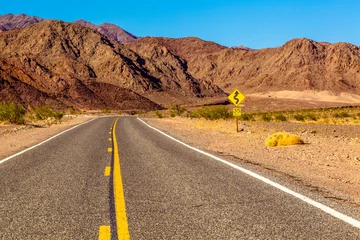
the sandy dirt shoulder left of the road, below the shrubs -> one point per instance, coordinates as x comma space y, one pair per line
15, 138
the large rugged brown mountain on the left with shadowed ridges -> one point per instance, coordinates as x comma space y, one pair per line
77, 66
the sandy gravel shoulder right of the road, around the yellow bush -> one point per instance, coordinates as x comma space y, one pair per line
328, 163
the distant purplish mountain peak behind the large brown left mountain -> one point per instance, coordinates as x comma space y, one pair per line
111, 31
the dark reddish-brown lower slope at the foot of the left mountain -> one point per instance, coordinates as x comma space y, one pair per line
27, 89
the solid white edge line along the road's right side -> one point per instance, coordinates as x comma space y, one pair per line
332, 212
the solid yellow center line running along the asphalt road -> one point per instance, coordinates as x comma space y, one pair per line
119, 198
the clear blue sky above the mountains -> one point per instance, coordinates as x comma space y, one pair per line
252, 23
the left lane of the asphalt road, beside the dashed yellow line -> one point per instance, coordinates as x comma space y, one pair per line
58, 190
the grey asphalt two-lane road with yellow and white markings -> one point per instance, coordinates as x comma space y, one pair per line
118, 178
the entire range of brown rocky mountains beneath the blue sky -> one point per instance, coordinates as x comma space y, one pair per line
53, 57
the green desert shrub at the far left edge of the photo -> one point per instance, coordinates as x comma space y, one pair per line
12, 112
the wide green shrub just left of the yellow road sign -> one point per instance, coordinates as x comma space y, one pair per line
211, 113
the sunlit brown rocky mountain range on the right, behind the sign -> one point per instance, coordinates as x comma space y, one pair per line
300, 64
